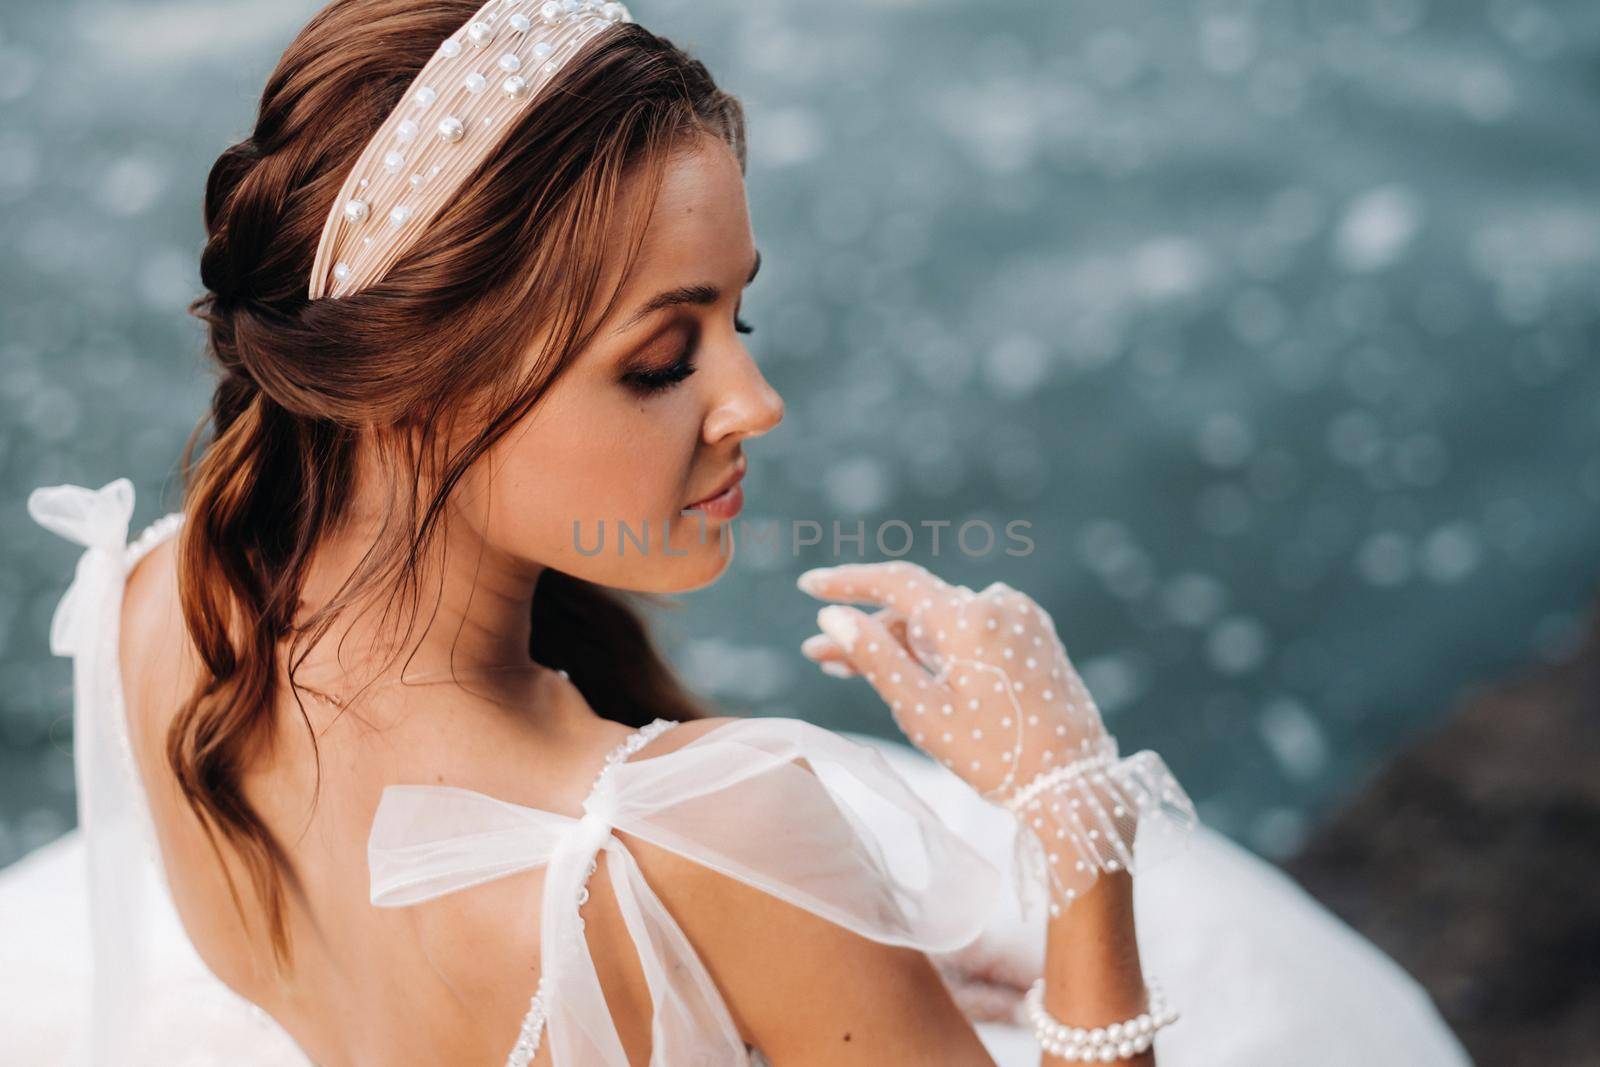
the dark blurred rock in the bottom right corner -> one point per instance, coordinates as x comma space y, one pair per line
1474, 860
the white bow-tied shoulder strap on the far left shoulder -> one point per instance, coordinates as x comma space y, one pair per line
113, 812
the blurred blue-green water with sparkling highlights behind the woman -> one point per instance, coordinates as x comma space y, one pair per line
1278, 322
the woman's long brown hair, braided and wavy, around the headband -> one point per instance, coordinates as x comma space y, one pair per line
439, 342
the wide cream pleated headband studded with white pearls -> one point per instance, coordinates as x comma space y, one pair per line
457, 110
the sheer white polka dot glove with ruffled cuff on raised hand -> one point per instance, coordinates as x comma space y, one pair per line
982, 682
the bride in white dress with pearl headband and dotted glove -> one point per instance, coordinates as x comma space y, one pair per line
377, 759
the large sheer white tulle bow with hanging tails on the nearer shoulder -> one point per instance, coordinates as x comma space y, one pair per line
778, 804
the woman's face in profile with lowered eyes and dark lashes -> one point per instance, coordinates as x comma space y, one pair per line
609, 478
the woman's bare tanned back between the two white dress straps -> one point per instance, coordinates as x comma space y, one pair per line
442, 983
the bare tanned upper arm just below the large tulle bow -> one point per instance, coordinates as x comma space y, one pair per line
801, 988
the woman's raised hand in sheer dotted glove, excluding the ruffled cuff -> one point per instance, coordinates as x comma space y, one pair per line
980, 682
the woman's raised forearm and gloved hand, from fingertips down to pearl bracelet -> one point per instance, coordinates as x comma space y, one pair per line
982, 682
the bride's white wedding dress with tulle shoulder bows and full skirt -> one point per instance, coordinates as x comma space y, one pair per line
95, 967
